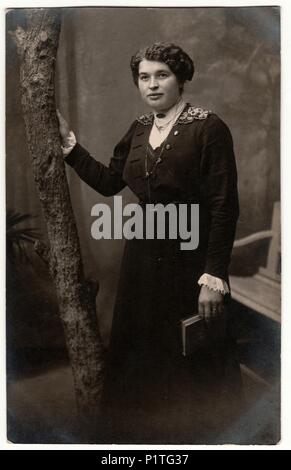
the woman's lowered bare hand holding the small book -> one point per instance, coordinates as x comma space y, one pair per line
210, 304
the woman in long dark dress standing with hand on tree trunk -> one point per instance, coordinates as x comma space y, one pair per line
175, 154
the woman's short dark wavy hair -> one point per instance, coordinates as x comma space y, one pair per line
176, 59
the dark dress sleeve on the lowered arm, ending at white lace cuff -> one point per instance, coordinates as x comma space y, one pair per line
219, 194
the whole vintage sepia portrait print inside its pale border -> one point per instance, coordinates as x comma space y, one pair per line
143, 227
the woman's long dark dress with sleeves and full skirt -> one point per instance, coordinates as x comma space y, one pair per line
152, 393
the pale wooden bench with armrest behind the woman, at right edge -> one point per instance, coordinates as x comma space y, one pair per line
262, 292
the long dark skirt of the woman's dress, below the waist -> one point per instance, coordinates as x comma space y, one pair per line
152, 393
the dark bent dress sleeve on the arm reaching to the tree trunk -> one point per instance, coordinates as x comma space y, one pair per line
107, 180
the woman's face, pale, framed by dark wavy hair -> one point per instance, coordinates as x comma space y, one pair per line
158, 85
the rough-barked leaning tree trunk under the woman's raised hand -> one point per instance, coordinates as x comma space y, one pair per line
37, 48
